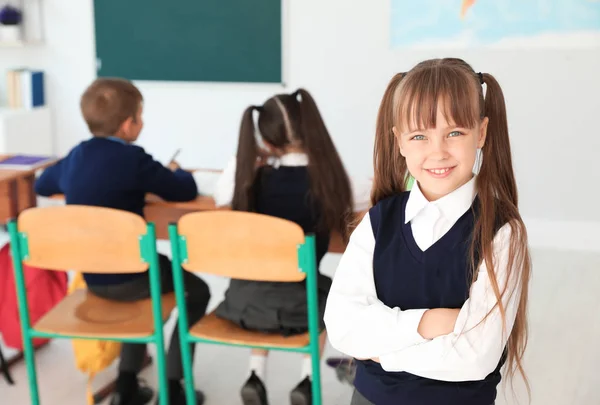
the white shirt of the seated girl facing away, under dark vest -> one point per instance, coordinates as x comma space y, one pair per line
223, 193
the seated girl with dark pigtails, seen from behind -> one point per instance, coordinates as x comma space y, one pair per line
293, 172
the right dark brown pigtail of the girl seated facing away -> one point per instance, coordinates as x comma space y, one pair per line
330, 184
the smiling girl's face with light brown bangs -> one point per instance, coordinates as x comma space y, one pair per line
438, 124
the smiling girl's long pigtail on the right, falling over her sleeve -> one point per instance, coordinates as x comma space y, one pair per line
497, 193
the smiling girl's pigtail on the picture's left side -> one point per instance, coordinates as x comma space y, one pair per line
391, 173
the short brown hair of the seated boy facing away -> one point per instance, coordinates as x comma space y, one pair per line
107, 103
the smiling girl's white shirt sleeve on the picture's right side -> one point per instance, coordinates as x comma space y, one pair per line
474, 348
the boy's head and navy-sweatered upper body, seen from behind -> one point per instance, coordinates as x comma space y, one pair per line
107, 170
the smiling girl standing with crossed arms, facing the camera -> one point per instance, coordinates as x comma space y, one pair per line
430, 296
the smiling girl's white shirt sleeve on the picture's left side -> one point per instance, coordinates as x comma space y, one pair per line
358, 324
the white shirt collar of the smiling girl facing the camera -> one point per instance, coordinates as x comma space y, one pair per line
452, 206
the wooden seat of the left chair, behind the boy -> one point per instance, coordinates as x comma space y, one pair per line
84, 314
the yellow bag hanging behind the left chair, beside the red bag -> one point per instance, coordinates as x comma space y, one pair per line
92, 356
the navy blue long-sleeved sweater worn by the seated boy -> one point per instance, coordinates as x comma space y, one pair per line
107, 172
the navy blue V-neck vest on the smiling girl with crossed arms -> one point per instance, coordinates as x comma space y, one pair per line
409, 278
